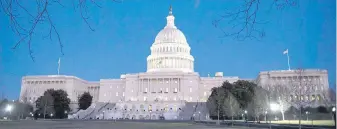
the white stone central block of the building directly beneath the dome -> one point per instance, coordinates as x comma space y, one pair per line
161, 86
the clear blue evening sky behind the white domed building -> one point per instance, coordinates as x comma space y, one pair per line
124, 33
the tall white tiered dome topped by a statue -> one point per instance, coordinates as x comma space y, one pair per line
170, 50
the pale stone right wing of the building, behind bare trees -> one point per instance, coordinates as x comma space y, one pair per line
309, 85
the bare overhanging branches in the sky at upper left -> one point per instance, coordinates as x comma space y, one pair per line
15, 10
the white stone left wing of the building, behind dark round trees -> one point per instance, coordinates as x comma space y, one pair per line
33, 87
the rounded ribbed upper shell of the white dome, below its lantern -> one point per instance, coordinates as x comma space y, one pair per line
170, 35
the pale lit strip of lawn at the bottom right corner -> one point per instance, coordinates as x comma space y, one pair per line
305, 122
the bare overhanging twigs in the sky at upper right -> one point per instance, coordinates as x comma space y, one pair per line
243, 23
